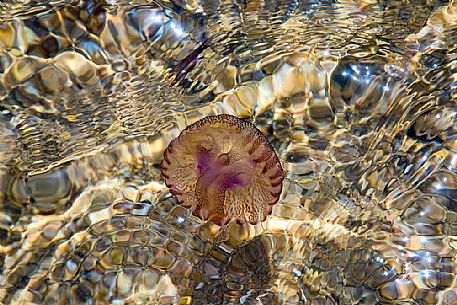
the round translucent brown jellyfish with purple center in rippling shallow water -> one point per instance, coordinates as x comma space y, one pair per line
224, 169
